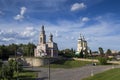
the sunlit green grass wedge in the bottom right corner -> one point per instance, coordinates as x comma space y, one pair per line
113, 74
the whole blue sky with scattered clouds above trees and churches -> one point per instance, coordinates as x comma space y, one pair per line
97, 20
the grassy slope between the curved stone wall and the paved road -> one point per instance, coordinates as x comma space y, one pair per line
68, 64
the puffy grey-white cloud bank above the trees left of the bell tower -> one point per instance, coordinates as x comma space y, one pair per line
11, 36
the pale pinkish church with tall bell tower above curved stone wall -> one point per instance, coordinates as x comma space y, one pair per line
44, 48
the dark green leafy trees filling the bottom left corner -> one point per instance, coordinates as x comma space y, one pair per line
7, 71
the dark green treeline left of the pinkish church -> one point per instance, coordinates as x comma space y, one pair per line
16, 49
